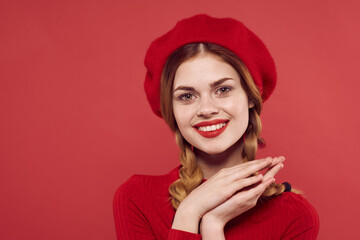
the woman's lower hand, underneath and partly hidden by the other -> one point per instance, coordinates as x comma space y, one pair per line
239, 203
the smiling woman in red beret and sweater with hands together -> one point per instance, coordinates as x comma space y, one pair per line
208, 78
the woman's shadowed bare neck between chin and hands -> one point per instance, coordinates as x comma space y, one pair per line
212, 163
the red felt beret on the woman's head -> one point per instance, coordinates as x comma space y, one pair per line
226, 32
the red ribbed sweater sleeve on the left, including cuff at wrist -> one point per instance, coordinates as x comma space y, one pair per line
132, 224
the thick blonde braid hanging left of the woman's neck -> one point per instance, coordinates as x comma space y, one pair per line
190, 174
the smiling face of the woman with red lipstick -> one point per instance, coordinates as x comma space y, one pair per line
210, 106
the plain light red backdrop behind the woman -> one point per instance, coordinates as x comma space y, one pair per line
75, 123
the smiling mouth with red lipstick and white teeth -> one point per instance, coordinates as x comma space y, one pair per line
211, 129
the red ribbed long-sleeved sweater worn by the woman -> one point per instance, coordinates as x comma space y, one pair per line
142, 211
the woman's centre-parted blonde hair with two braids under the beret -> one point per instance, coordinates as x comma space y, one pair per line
190, 174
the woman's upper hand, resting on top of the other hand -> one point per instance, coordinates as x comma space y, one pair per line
217, 189
